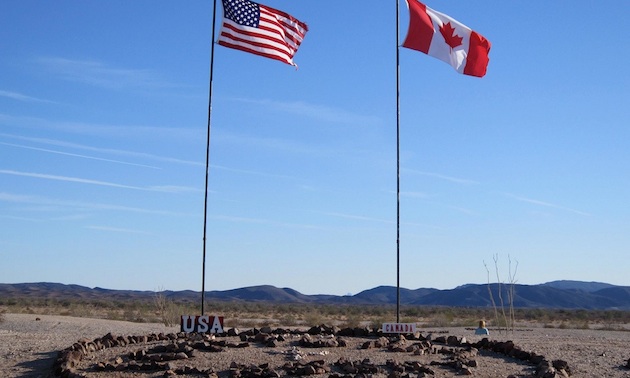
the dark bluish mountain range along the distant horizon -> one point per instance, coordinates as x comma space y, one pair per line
556, 294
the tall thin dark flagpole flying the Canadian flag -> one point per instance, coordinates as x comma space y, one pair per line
397, 164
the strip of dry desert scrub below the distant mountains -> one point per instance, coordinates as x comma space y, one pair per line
167, 309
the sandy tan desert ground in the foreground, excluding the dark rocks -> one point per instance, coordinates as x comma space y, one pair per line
30, 344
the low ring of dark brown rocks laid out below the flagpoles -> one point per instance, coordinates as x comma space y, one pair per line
457, 353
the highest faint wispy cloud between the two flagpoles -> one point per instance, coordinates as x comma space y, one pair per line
314, 111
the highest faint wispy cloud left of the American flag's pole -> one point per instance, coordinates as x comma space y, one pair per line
103, 75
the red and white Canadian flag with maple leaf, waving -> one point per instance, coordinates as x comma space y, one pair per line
444, 38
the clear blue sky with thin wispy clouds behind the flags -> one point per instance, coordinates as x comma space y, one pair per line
103, 115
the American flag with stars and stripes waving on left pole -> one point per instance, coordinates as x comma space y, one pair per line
261, 30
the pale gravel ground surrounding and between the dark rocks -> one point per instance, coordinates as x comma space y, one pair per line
28, 348
